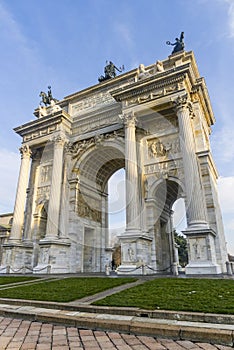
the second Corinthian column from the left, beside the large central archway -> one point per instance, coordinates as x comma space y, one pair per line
52, 229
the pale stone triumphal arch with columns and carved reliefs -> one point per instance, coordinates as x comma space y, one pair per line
154, 122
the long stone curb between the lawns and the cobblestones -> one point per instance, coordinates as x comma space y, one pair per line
214, 333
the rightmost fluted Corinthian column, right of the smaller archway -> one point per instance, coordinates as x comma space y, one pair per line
196, 210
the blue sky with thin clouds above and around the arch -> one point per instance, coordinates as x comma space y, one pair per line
66, 43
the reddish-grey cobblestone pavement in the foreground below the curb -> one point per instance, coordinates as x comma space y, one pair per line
18, 334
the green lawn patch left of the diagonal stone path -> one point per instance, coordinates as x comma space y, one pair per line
64, 290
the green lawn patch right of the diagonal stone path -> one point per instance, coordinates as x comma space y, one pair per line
198, 295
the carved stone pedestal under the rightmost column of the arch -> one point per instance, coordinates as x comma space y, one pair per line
202, 259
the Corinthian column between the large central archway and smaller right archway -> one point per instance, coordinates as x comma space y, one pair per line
132, 182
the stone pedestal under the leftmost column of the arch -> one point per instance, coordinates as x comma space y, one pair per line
17, 258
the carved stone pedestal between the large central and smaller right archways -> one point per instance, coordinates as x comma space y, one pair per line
135, 254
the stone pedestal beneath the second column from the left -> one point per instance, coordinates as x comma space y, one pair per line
53, 257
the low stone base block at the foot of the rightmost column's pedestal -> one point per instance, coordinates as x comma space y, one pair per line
205, 268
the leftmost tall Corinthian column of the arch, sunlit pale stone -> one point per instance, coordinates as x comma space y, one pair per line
18, 218
